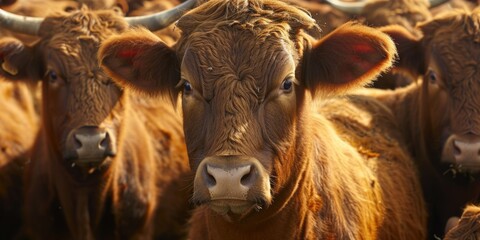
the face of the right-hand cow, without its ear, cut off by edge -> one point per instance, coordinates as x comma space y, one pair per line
453, 83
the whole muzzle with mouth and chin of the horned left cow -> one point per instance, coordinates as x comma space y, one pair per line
88, 146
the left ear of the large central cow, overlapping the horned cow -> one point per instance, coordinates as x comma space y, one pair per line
139, 60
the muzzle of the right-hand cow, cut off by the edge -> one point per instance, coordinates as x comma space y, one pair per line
463, 151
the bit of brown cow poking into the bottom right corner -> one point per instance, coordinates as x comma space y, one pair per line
467, 227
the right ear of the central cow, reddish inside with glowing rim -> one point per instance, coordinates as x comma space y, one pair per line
349, 57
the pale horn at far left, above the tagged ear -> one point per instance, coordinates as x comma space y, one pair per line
20, 24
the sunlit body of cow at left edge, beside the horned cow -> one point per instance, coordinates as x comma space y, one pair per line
18, 127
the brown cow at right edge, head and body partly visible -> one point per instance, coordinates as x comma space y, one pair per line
438, 114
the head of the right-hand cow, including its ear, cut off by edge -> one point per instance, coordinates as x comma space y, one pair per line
447, 57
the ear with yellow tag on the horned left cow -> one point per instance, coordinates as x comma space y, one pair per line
17, 61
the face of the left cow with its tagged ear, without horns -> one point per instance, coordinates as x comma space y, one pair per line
81, 105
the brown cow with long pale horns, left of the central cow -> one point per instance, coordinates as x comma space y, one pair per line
100, 167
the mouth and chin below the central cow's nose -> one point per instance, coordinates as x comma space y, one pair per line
233, 209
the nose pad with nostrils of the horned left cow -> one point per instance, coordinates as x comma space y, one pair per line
91, 144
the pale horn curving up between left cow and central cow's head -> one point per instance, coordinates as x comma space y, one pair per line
162, 19
